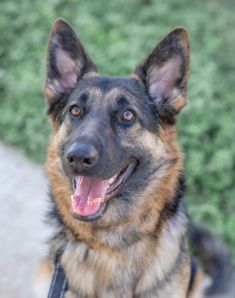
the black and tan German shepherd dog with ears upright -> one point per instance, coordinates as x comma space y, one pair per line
116, 172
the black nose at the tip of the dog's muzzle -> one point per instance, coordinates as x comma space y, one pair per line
82, 156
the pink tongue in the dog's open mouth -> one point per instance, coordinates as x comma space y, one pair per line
88, 195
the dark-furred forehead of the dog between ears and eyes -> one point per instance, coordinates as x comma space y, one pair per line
107, 90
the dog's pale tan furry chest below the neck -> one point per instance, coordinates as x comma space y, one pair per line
137, 272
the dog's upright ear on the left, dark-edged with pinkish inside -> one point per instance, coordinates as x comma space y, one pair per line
67, 60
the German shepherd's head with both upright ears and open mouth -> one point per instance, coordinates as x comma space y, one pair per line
110, 132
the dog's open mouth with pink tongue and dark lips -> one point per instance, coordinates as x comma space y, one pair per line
91, 195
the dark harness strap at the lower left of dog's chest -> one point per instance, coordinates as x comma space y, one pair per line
59, 283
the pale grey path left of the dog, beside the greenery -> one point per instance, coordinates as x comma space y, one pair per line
23, 234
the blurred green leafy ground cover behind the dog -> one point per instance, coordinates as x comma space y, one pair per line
118, 34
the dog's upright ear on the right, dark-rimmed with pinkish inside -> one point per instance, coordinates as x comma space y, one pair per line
165, 71
